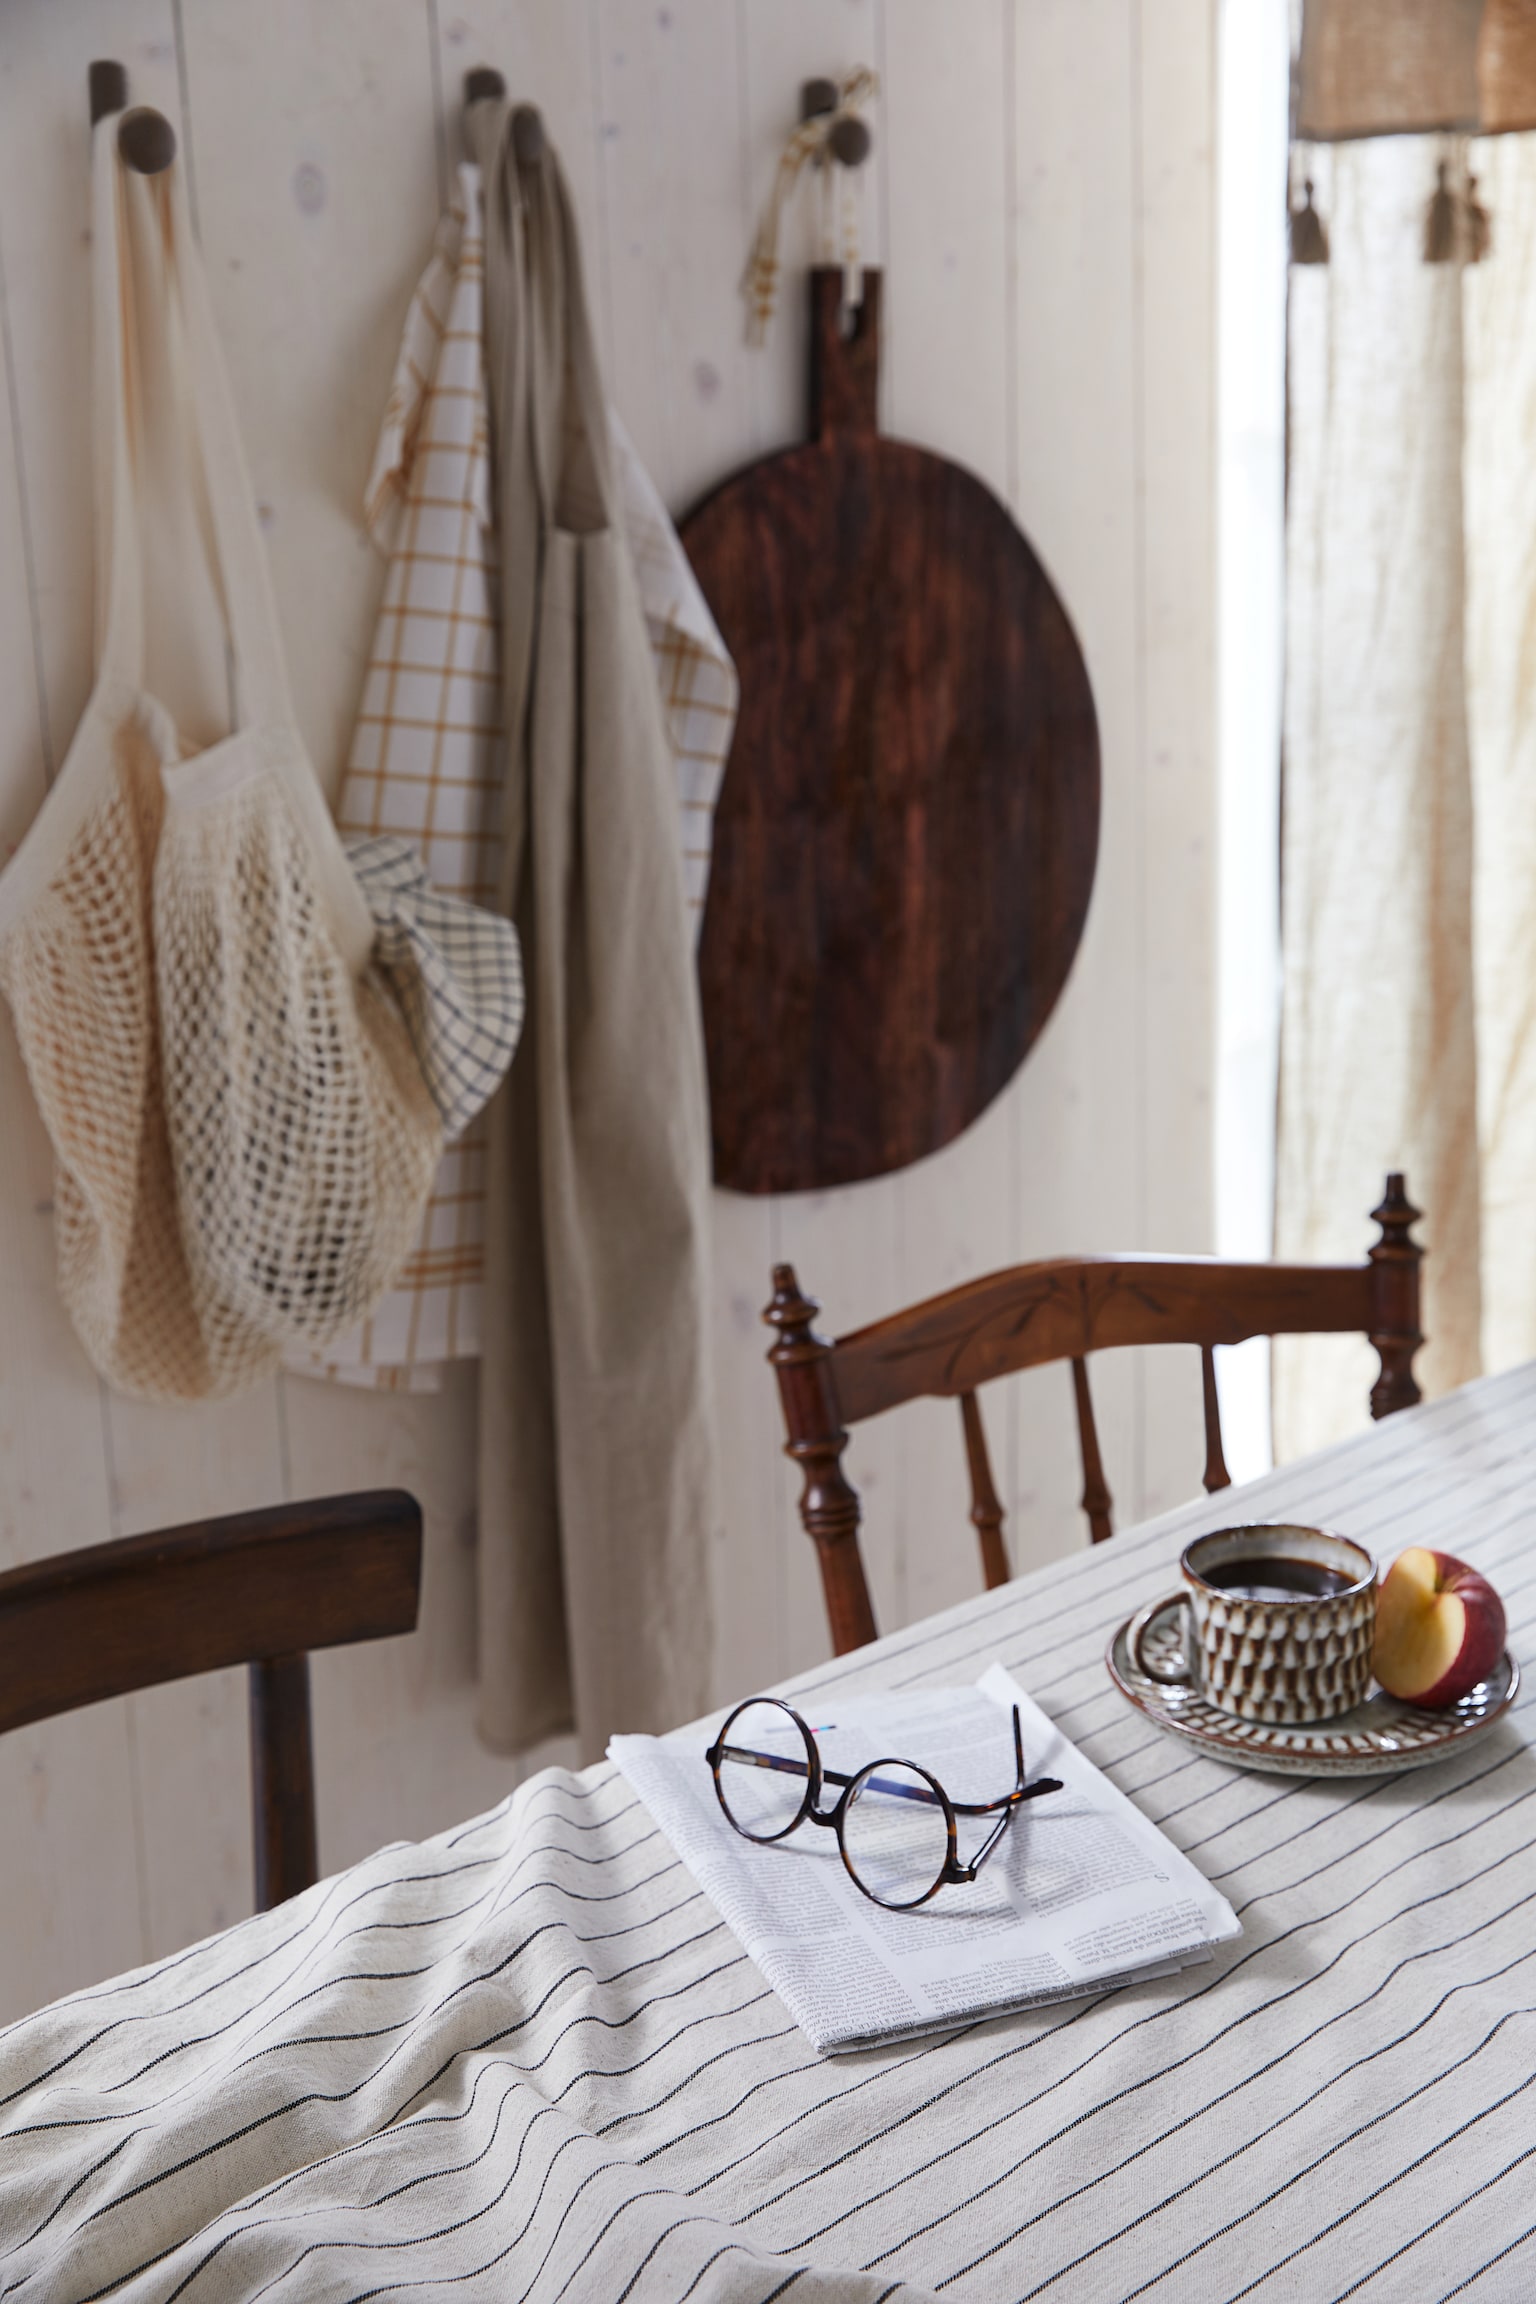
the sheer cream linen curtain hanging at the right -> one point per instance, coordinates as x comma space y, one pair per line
1410, 761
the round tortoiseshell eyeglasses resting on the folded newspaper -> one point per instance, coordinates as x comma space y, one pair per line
895, 1821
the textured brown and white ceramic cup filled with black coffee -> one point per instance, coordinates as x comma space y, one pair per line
1277, 1625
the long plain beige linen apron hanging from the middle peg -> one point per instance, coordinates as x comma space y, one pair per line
598, 1483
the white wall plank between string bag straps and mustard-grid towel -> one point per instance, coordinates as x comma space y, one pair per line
317, 165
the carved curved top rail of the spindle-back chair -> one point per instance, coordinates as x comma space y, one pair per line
1077, 1305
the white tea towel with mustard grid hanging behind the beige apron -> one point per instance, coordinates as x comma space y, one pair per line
427, 755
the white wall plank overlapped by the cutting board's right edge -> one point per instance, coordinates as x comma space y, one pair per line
1079, 1121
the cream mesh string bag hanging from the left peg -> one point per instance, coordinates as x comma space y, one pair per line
241, 1126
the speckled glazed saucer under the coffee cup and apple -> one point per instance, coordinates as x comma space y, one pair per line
1378, 1738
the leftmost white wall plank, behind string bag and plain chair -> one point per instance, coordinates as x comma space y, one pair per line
68, 1789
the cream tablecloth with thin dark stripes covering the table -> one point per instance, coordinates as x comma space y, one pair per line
529, 2061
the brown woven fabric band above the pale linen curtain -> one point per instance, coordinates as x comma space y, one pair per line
1401, 68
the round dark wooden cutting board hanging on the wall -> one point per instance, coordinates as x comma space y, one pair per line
906, 835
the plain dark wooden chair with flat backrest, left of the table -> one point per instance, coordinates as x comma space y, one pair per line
254, 1589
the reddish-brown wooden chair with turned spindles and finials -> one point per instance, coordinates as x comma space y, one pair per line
1063, 1310
